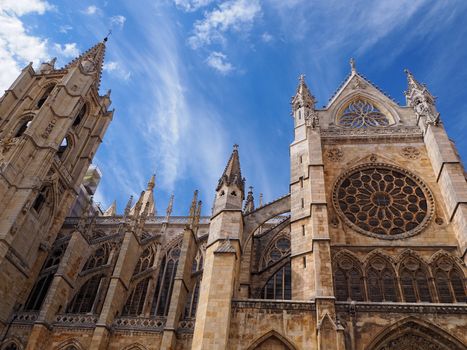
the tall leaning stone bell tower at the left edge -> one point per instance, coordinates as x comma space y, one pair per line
51, 123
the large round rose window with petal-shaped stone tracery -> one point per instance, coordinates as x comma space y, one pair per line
383, 201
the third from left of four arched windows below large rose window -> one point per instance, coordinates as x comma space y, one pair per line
414, 281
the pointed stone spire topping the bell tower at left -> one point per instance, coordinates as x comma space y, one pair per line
91, 61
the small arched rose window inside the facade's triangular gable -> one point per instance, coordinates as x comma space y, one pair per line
362, 114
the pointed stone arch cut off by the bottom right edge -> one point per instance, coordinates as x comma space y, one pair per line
415, 332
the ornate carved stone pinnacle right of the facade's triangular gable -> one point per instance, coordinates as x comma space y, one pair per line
421, 100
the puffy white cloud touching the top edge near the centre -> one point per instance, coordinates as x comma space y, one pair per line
236, 15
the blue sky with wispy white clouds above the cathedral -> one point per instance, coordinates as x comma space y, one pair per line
190, 78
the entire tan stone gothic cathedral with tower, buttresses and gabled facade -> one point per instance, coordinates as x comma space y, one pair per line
366, 252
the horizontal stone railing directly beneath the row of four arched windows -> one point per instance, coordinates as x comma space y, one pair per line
421, 308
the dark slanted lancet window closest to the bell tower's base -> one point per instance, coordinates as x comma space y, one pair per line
39, 291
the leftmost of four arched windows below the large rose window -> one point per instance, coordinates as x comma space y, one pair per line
348, 279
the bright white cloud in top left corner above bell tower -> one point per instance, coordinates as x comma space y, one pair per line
17, 47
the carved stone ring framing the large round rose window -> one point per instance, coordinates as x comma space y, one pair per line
420, 183
